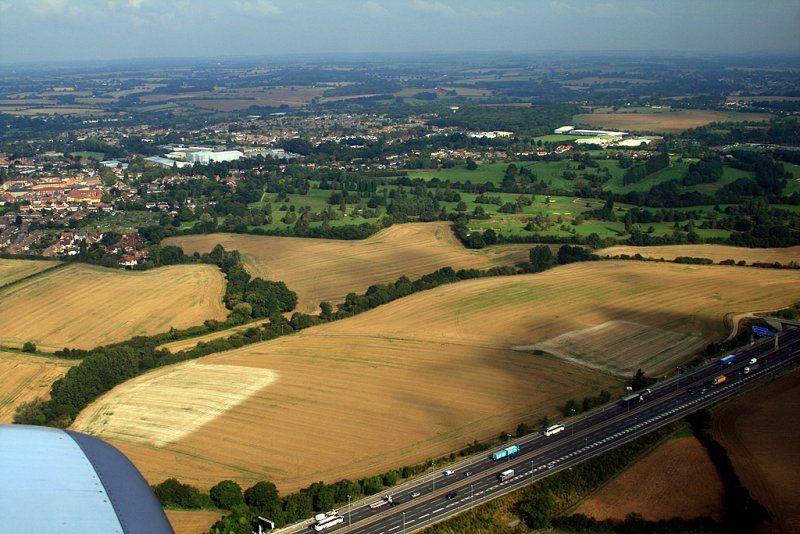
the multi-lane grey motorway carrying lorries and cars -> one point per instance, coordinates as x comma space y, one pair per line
585, 436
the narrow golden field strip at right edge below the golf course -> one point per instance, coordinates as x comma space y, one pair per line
717, 253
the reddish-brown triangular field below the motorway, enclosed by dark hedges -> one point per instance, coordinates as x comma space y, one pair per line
677, 480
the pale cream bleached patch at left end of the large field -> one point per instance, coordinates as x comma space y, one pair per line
162, 407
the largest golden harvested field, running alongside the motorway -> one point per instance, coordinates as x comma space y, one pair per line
423, 375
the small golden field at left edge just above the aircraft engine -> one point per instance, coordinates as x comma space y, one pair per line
24, 377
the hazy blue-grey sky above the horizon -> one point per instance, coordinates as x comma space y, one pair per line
44, 30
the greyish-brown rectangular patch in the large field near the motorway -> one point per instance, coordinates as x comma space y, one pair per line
618, 347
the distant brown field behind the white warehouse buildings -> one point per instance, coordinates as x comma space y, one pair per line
664, 122
